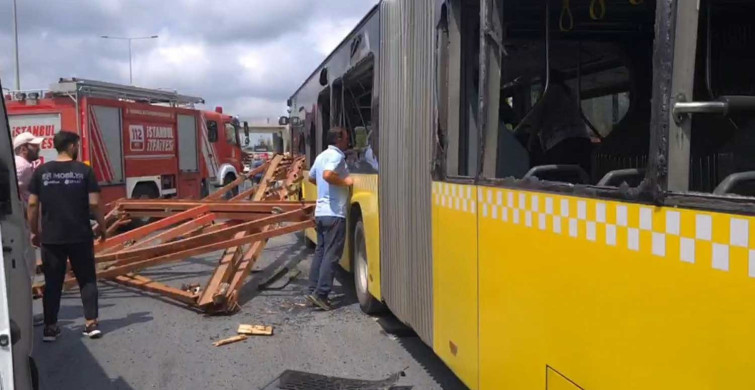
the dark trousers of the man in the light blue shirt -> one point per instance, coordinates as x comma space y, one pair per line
331, 237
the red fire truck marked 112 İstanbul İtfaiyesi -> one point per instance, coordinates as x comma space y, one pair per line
140, 142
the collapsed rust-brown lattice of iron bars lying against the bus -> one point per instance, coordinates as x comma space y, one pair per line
238, 222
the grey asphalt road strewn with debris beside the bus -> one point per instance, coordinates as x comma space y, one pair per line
151, 343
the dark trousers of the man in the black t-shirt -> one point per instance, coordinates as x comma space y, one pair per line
54, 259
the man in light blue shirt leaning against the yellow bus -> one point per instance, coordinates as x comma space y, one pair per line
332, 178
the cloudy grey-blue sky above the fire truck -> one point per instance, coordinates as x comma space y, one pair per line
247, 56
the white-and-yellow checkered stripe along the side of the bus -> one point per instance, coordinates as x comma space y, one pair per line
723, 241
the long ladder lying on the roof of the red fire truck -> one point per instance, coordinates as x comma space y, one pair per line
75, 87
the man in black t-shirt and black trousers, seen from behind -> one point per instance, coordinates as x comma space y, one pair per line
68, 193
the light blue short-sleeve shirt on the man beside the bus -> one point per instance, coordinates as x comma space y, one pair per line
331, 200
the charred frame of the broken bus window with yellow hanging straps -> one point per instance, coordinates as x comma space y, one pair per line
652, 190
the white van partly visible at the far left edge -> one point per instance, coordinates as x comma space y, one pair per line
17, 369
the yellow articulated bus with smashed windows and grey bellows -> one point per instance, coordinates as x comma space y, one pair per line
553, 194
